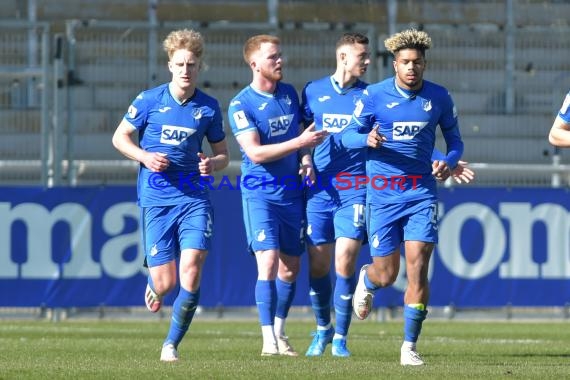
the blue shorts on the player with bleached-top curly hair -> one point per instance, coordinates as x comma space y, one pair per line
391, 224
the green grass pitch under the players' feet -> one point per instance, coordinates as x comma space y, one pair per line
226, 349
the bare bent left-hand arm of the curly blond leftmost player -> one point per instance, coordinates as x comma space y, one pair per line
123, 142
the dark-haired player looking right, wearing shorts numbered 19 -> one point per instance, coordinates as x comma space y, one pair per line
335, 211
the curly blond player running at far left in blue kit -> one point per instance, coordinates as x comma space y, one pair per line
176, 215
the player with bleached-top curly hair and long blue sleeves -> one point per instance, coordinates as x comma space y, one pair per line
397, 119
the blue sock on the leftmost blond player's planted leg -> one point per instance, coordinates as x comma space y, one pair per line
183, 311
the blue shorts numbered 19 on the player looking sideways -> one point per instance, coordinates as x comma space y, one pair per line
328, 220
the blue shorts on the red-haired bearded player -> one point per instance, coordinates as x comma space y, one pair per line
271, 225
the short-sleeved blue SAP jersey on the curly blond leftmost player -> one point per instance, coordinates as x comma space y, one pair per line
177, 130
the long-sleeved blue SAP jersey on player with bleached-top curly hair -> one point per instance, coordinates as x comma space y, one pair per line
400, 170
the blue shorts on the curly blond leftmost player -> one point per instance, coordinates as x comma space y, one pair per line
167, 230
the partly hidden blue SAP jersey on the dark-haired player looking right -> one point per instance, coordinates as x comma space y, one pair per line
331, 108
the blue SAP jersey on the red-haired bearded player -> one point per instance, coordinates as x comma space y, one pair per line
276, 118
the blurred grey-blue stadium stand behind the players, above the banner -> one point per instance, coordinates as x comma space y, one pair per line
106, 63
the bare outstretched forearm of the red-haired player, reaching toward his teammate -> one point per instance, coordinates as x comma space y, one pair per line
259, 154
